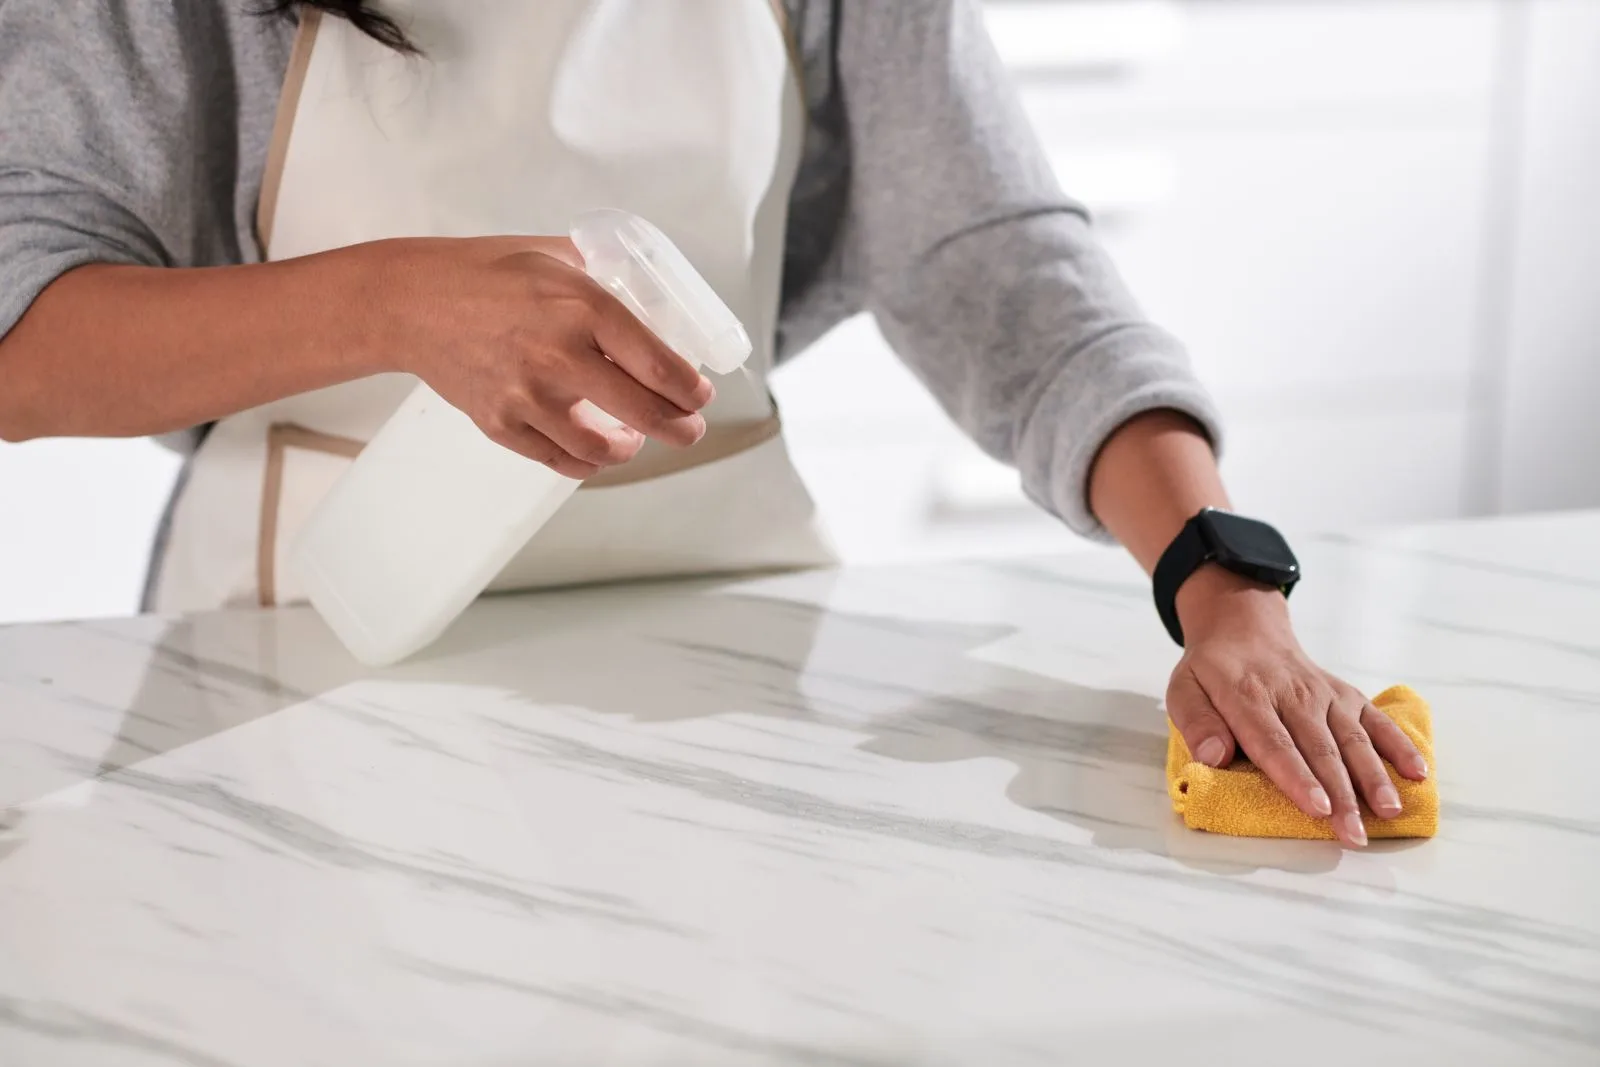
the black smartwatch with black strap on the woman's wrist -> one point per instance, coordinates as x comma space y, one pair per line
1244, 546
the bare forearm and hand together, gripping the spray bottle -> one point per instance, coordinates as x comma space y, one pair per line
506, 329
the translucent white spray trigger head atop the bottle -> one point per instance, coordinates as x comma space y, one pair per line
642, 268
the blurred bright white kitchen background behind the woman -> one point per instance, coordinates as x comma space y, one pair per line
1375, 223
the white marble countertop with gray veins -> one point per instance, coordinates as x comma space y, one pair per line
882, 817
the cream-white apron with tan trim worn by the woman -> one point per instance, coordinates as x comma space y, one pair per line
519, 118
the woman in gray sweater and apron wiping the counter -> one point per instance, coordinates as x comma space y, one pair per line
214, 217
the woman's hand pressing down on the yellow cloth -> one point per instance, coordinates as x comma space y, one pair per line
1246, 684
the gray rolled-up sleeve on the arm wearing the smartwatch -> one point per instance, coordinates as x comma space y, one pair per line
982, 274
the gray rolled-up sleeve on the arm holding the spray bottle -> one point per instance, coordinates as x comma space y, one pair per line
118, 140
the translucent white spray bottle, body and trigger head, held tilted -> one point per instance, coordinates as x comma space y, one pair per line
433, 511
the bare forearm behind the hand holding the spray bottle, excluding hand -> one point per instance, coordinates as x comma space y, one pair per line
118, 351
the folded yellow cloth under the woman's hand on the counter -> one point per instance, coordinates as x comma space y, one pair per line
1244, 802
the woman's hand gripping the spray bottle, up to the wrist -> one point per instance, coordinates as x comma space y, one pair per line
516, 335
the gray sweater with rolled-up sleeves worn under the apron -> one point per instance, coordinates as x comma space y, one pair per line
135, 132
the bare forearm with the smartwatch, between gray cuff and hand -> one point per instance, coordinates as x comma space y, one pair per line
1151, 478
